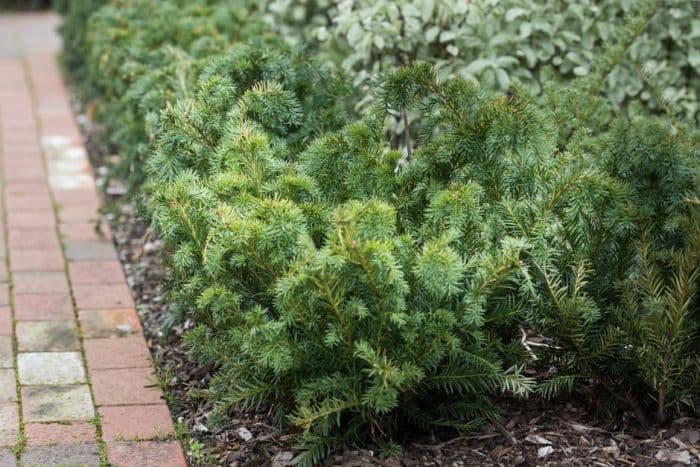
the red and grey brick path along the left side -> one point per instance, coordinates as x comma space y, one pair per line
76, 382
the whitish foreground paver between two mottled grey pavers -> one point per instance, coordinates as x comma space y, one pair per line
50, 368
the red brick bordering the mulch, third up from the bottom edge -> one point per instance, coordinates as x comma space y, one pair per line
125, 387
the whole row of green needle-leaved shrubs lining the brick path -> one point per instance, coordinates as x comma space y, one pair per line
358, 279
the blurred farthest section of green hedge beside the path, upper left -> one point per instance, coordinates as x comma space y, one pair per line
142, 54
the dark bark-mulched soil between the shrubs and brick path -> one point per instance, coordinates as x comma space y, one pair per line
534, 432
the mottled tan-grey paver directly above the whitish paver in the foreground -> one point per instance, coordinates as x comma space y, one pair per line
47, 336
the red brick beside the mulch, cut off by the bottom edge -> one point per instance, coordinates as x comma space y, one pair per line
146, 454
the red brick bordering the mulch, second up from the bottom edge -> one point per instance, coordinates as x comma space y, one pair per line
136, 422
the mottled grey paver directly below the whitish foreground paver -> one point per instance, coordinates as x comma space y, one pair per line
57, 403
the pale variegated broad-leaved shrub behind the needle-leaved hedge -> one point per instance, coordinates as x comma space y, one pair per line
531, 41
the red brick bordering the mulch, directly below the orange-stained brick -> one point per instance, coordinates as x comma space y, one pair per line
113, 353
